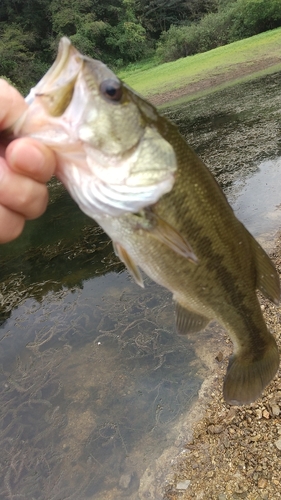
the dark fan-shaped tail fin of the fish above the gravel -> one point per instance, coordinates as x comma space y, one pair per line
247, 375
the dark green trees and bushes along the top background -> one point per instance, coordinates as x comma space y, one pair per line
122, 32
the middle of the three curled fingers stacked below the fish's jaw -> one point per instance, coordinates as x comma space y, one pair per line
22, 194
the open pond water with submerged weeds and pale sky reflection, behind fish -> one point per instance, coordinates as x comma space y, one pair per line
94, 383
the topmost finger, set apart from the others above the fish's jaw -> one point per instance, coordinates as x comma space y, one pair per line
12, 105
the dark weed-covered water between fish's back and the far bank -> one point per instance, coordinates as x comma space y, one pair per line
235, 129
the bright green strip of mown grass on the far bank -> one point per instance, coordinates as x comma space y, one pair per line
150, 81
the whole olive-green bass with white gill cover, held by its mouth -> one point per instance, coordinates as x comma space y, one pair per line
128, 167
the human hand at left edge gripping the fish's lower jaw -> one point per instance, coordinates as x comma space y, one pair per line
25, 167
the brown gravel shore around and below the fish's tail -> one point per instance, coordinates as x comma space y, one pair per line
235, 451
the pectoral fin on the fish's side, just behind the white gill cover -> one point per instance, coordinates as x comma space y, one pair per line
164, 232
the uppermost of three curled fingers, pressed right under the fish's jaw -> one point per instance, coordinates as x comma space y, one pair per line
29, 157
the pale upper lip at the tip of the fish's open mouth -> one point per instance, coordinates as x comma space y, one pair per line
66, 51
